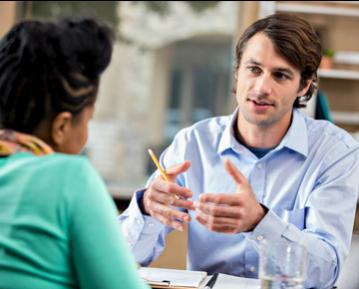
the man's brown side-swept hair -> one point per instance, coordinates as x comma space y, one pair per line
295, 40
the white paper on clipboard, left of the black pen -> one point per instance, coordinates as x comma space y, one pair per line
172, 278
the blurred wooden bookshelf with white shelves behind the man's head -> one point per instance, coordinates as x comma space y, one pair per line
337, 23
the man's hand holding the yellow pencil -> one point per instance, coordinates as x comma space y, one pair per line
162, 197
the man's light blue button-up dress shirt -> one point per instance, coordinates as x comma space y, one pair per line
309, 183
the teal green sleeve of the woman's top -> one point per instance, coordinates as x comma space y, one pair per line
101, 257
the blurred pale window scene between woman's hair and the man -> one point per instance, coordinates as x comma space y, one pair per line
171, 67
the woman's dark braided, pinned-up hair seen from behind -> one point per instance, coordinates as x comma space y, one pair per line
50, 67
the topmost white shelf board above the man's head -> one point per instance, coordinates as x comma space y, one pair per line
317, 9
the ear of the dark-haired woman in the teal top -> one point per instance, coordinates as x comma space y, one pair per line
60, 127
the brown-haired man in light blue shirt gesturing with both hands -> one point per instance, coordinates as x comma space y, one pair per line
267, 171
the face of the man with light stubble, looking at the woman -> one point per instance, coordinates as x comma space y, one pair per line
267, 85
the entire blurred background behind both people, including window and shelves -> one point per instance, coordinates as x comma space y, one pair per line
172, 66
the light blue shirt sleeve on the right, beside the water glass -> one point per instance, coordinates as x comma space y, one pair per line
329, 217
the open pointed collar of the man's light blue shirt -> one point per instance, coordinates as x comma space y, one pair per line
295, 139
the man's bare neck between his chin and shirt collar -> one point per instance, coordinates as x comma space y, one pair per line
260, 136
